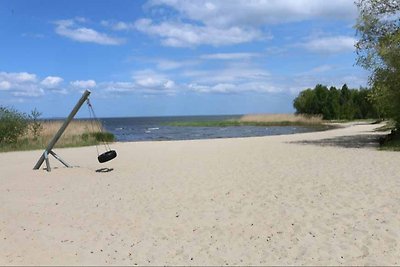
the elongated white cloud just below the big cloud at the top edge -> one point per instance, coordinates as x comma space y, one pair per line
187, 35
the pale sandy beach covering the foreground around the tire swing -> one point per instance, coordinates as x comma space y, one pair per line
247, 201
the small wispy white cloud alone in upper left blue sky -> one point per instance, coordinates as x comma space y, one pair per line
70, 29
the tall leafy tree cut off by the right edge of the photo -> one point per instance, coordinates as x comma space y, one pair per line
378, 50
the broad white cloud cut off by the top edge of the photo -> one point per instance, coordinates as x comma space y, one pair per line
258, 12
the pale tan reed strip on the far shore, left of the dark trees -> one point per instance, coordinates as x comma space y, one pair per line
292, 118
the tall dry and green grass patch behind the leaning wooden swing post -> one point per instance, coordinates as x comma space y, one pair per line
78, 133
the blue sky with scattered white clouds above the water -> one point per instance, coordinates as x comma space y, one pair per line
173, 57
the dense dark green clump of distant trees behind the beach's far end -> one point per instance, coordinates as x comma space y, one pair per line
336, 104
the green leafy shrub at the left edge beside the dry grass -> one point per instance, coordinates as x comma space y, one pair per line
13, 125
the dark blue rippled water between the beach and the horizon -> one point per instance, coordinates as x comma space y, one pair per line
158, 128
